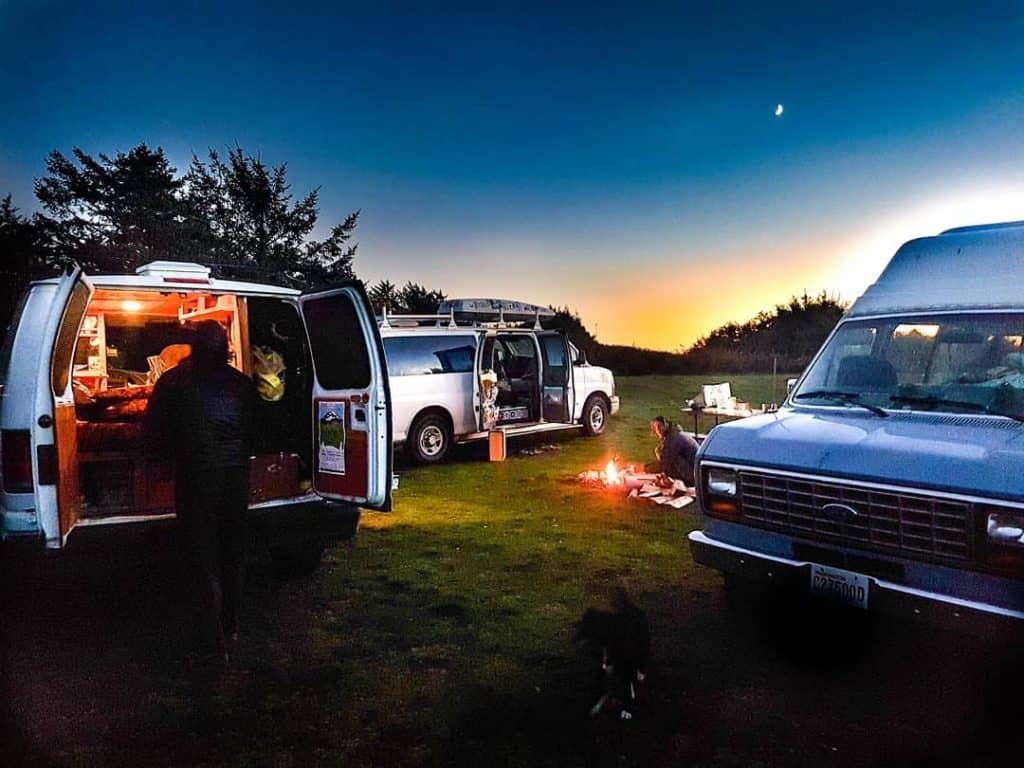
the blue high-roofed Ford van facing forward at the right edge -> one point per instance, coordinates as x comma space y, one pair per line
892, 479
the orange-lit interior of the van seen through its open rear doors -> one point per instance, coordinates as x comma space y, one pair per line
130, 339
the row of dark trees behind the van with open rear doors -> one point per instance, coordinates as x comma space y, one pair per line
234, 212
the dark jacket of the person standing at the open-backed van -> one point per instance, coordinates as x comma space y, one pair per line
204, 415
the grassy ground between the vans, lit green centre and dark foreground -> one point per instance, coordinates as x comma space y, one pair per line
443, 636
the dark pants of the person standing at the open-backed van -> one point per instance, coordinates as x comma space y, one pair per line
212, 506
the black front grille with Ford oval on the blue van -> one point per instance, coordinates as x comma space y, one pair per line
880, 521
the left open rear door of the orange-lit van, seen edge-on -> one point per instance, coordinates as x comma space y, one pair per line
56, 432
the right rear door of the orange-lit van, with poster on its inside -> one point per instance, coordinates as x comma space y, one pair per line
352, 400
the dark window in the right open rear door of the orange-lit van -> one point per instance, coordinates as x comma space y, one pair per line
338, 344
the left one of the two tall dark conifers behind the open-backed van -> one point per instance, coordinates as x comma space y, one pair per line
112, 215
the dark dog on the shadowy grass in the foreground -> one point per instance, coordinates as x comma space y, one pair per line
621, 639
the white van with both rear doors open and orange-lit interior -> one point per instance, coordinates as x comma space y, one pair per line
79, 363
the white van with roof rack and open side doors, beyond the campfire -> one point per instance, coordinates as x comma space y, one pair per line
442, 368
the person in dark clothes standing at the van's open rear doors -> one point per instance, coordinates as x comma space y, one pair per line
203, 412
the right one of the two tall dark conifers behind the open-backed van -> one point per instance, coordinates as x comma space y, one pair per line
245, 210
